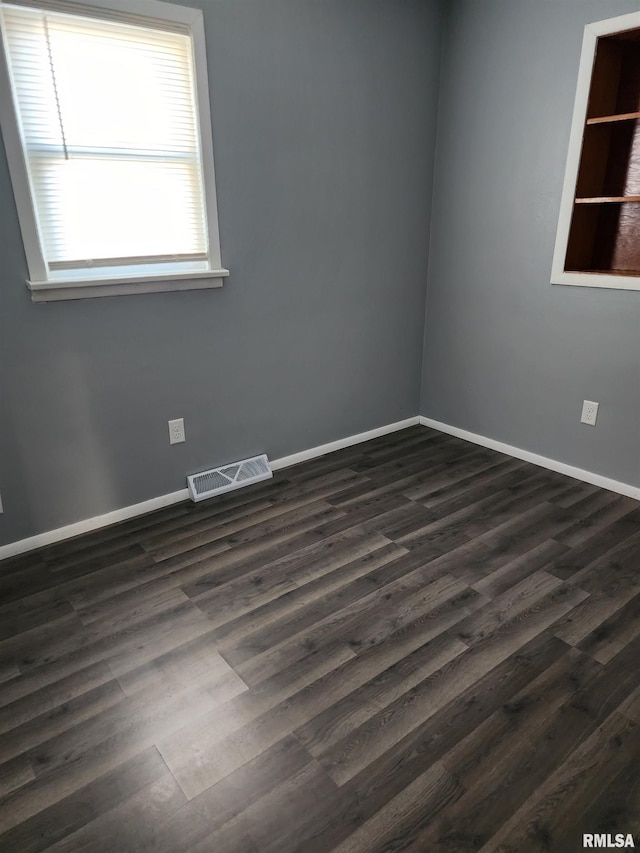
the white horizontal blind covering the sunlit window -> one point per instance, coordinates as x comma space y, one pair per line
109, 123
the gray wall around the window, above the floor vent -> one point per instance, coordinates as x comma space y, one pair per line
324, 121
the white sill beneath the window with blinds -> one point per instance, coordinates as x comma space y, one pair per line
56, 291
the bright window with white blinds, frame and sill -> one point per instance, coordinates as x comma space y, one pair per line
109, 147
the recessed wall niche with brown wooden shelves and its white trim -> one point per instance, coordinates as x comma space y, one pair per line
598, 239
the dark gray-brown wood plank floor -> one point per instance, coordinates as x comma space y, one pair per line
412, 644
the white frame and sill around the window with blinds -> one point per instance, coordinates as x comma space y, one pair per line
44, 289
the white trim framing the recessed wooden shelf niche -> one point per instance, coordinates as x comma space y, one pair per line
558, 274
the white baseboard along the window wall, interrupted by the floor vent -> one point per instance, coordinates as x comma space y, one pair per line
22, 546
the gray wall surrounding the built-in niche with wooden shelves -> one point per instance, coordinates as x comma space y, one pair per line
506, 354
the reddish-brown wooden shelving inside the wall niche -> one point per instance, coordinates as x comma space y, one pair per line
604, 233
